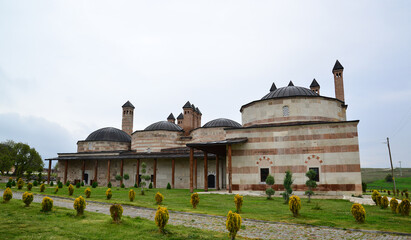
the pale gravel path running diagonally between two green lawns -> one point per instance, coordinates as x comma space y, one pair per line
253, 228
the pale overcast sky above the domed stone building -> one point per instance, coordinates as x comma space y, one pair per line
67, 67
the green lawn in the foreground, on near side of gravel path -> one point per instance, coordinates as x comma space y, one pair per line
19, 222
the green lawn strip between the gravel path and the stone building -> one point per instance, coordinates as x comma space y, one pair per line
334, 213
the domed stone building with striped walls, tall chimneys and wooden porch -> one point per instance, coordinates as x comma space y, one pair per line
290, 128
